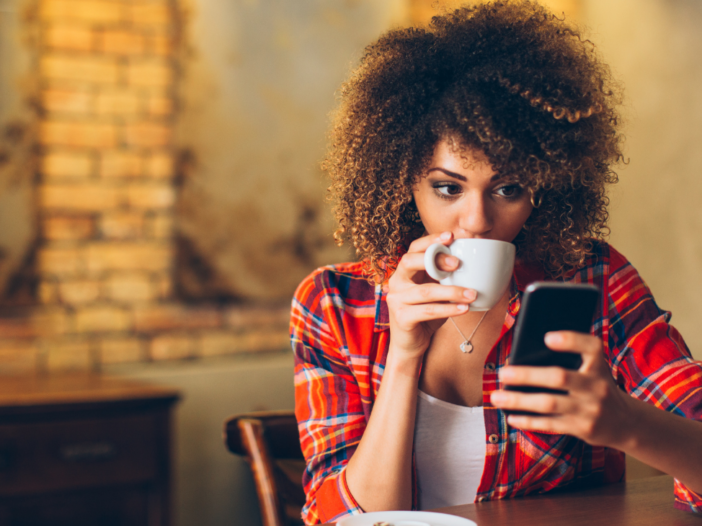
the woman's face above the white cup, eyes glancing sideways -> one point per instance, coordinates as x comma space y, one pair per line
461, 193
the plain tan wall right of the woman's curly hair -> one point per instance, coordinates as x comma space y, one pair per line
654, 48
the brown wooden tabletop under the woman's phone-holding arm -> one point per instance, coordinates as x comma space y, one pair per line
642, 502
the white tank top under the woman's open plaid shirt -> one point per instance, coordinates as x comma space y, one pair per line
449, 449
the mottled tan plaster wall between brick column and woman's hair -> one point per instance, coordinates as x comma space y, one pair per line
258, 82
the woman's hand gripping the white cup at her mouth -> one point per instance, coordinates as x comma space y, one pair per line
417, 304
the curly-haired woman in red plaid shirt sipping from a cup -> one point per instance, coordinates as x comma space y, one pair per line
496, 122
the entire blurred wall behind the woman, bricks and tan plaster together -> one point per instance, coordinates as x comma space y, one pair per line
161, 197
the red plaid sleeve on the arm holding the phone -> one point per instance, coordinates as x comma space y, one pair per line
649, 357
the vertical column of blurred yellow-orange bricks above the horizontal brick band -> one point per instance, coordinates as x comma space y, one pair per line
107, 85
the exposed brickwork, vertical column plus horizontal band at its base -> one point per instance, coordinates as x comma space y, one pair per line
105, 201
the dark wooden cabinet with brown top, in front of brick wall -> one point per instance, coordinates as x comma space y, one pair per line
84, 450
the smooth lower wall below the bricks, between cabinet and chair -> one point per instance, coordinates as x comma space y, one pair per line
212, 486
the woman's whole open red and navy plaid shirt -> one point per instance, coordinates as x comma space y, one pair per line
339, 331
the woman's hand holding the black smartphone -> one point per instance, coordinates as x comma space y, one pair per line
593, 409
